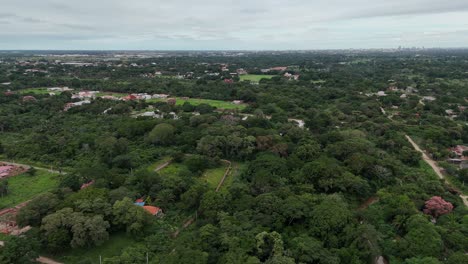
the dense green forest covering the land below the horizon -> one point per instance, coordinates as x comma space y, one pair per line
248, 185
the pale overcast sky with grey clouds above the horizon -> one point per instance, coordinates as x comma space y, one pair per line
233, 24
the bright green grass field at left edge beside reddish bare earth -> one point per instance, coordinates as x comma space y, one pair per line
25, 187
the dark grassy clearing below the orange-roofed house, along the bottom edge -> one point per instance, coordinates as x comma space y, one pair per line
112, 247
